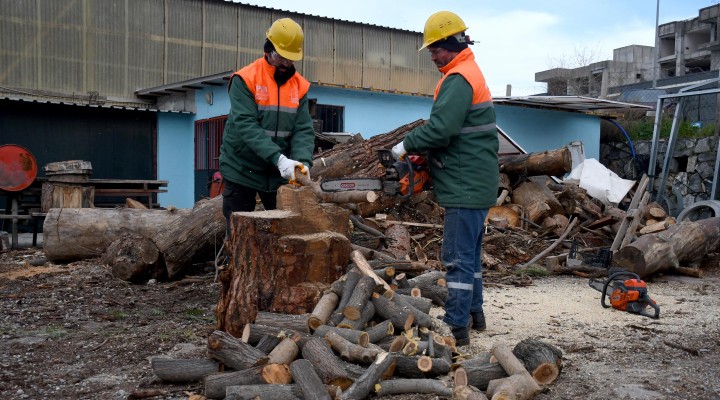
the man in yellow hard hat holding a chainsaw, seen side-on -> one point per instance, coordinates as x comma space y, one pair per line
461, 140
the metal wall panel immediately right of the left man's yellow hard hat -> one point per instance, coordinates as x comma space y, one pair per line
319, 50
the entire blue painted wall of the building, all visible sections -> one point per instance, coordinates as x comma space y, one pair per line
366, 112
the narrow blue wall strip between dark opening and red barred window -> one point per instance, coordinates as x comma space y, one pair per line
176, 158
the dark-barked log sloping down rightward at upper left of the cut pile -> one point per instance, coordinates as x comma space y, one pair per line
233, 352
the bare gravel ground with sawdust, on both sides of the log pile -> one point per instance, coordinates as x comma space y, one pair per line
73, 331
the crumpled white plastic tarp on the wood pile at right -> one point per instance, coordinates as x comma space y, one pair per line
600, 182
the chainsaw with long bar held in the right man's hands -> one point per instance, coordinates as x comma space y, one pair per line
402, 178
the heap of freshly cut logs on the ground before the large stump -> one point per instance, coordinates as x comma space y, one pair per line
363, 337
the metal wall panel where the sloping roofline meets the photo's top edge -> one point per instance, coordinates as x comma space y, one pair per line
220, 37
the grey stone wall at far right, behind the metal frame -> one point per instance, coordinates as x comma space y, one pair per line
690, 171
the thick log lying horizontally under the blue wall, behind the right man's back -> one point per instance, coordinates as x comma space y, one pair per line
556, 162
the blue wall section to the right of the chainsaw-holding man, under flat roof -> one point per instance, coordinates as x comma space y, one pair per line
539, 130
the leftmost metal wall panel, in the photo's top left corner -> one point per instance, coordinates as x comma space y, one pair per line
18, 44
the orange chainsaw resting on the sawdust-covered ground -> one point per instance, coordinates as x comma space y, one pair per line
626, 294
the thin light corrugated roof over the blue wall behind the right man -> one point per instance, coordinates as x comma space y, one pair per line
568, 103
